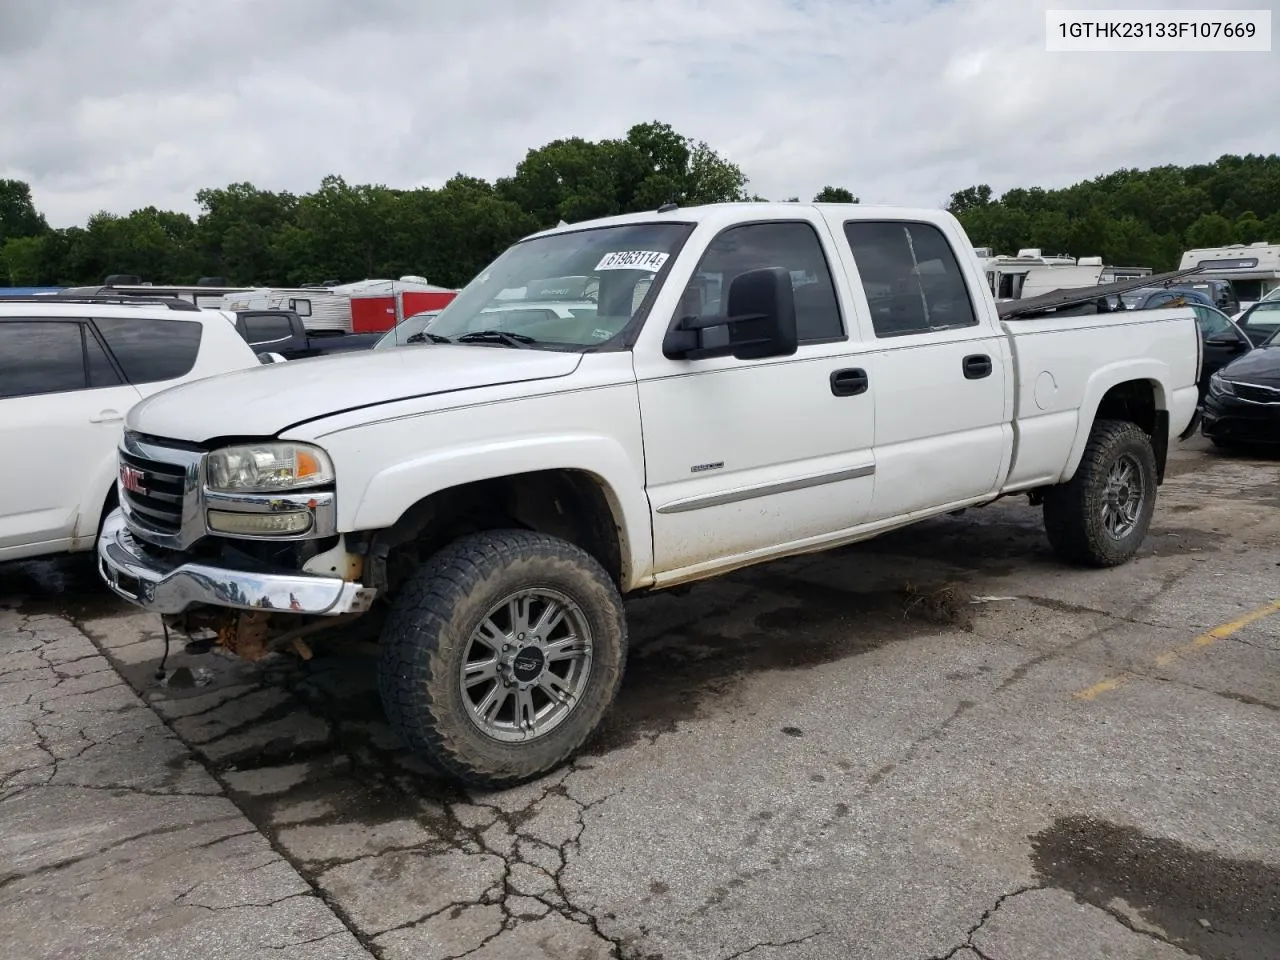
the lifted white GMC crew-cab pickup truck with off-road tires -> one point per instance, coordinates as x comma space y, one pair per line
747, 382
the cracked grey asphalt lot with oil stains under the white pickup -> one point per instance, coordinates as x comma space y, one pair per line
938, 744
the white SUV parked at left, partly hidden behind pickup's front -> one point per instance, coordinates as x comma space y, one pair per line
70, 372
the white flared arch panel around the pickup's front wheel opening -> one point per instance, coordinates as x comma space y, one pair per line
394, 491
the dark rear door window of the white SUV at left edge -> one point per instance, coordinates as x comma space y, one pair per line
40, 356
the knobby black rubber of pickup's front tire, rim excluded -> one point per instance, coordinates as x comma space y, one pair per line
427, 636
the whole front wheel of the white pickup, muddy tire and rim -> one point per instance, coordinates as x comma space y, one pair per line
501, 656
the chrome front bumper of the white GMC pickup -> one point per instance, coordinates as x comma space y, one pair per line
154, 584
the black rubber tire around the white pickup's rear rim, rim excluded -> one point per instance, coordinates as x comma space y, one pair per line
1073, 511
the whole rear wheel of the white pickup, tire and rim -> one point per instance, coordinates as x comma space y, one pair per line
1101, 516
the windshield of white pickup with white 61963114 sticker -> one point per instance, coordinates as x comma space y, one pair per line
565, 291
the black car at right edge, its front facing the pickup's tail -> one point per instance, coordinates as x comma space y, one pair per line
1244, 403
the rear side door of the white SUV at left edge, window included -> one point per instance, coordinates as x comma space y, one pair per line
62, 406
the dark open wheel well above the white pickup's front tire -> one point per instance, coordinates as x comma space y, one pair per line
572, 505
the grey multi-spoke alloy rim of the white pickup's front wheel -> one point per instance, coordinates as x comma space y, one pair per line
527, 666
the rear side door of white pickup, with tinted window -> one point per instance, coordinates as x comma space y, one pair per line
941, 371
